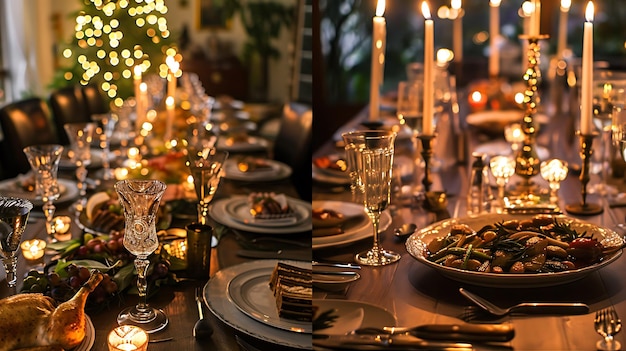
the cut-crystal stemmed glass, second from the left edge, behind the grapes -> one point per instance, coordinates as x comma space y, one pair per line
44, 160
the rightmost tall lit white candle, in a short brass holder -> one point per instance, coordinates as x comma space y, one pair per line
586, 106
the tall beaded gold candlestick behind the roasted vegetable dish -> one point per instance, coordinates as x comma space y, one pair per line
527, 160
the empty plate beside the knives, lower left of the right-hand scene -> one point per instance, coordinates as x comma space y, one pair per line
373, 316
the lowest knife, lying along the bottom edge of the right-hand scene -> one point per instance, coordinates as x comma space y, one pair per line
384, 342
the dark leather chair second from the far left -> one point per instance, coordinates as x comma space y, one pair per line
68, 106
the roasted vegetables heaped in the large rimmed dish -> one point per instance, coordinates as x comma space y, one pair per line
540, 244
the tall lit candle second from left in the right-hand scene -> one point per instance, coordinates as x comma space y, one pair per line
429, 79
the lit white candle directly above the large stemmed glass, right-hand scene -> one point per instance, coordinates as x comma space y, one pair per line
379, 33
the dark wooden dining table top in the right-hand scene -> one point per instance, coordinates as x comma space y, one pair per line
410, 293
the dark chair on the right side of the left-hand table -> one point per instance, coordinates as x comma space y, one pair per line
292, 145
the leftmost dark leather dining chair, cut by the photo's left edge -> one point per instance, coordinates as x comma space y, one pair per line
24, 123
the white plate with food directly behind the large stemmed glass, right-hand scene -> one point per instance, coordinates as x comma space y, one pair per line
356, 232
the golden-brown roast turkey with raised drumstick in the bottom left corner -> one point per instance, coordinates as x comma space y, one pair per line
34, 322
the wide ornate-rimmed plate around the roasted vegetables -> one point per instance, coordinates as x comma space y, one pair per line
416, 246
